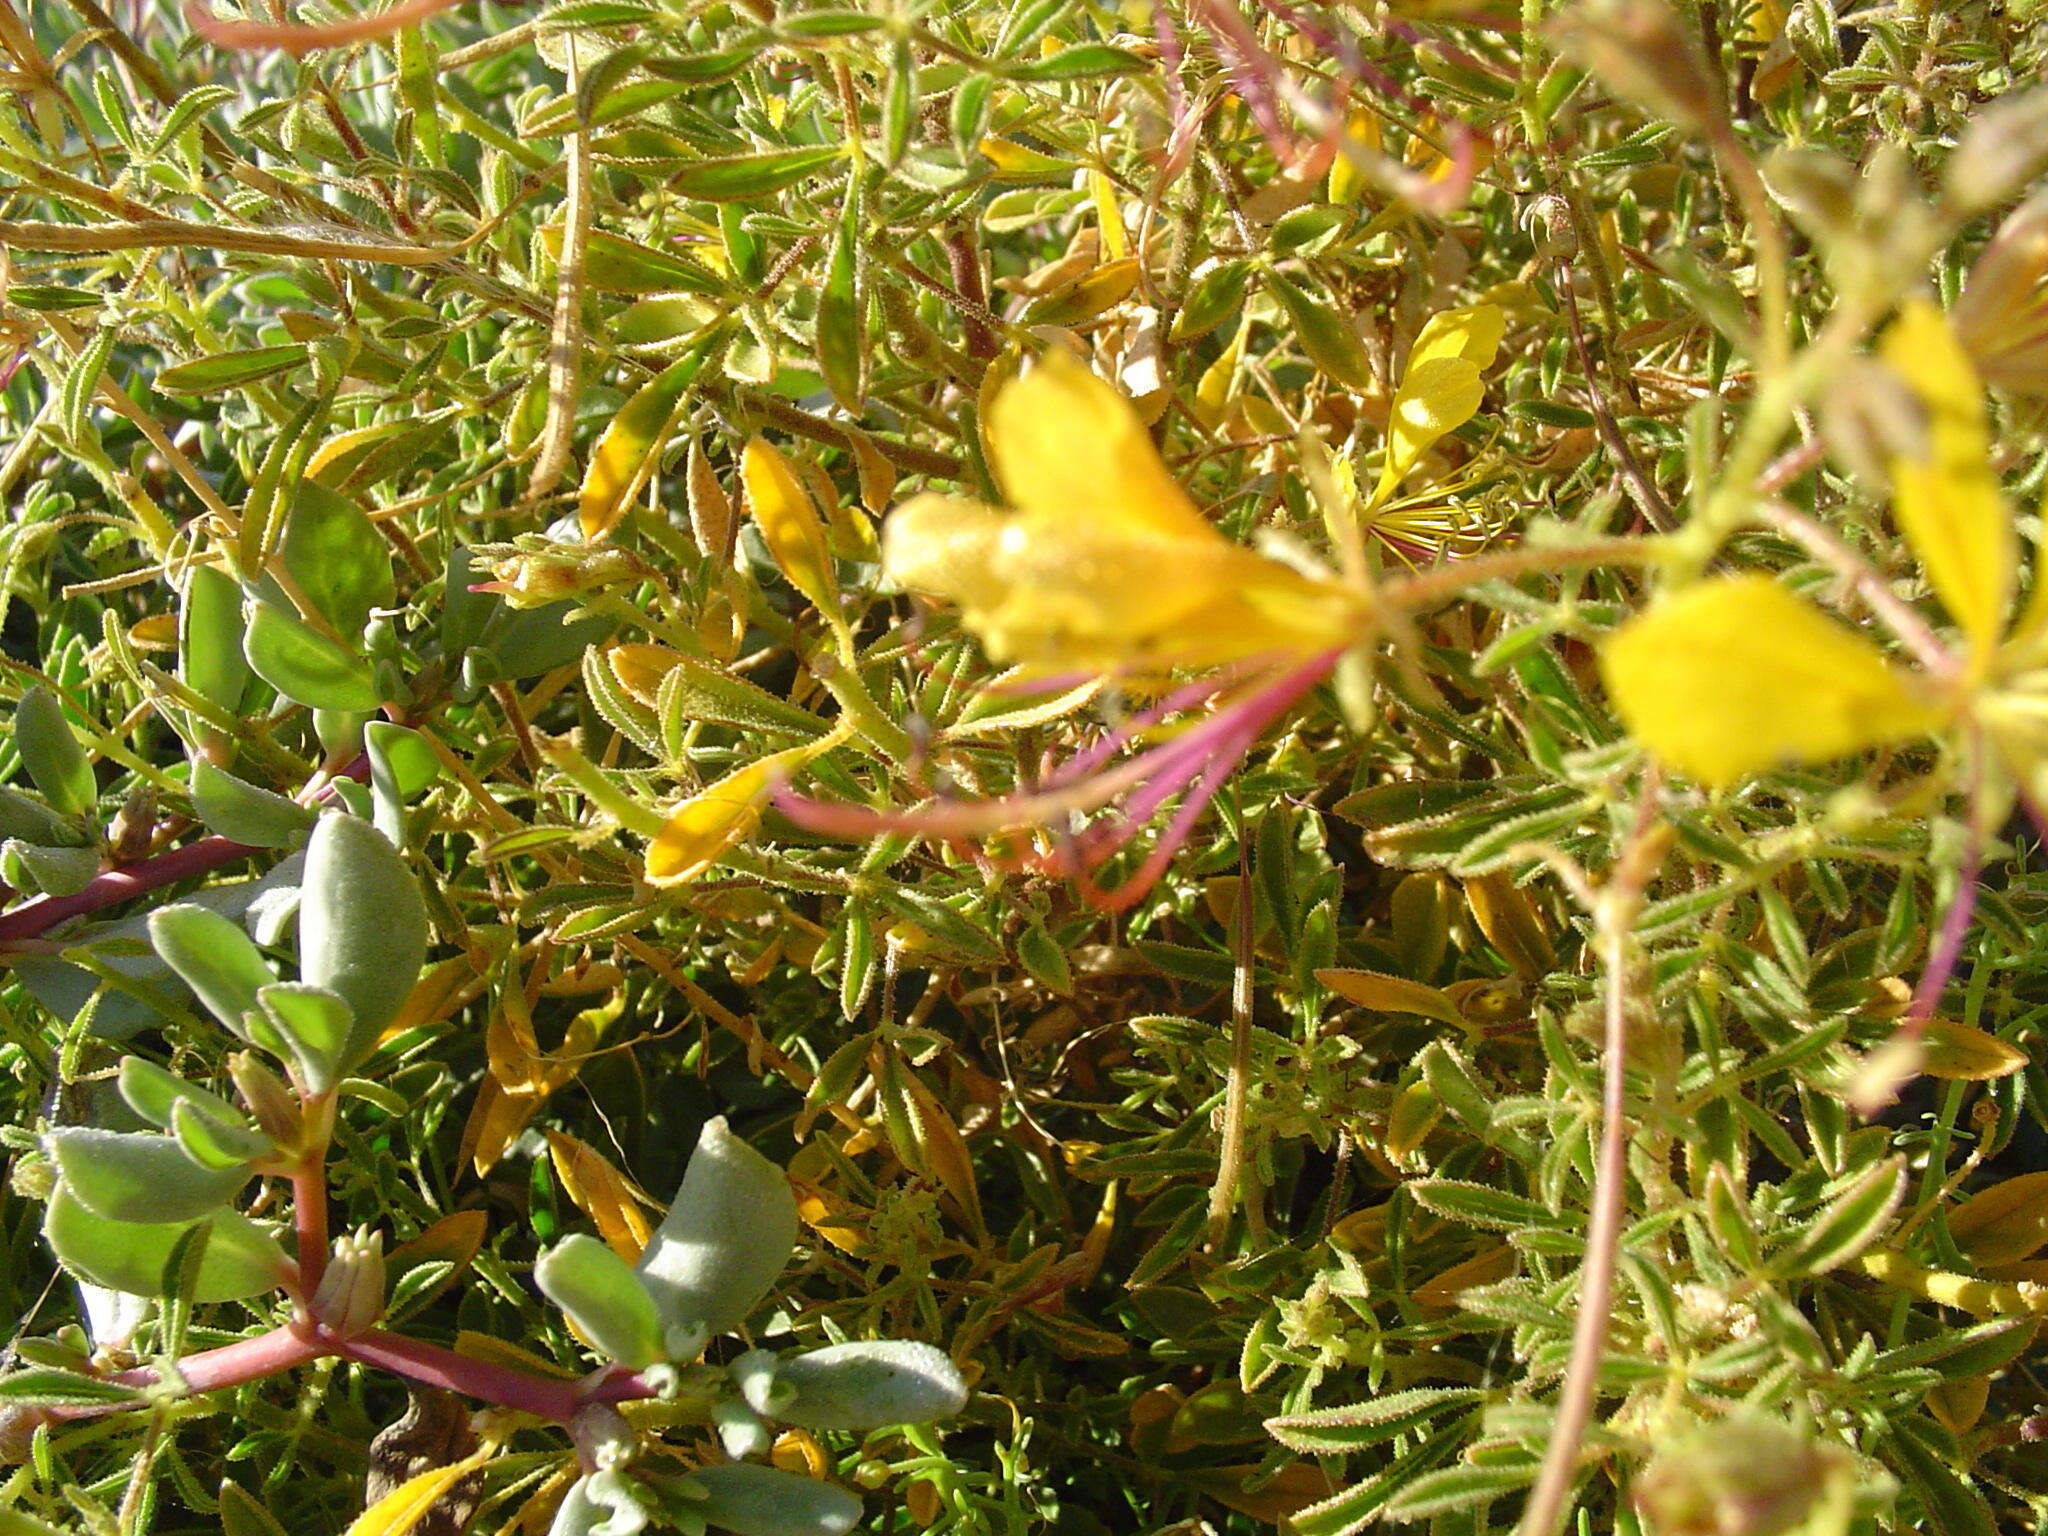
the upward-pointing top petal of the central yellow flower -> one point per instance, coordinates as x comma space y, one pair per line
1072, 447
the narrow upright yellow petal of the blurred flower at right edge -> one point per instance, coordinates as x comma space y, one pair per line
1949, 501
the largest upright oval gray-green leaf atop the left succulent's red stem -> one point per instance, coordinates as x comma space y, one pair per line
361, 925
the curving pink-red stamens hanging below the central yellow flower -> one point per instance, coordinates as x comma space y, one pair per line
1191, 769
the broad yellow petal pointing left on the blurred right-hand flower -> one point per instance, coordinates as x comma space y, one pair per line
1734, 677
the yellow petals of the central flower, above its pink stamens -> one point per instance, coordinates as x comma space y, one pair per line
1105, 564
